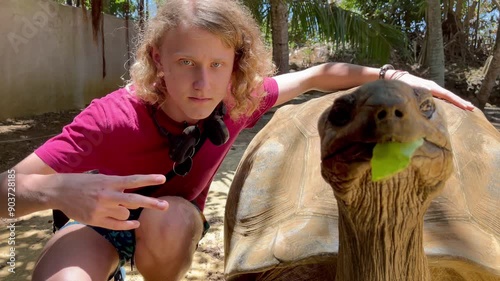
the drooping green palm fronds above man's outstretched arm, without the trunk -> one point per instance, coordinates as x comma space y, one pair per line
320, 21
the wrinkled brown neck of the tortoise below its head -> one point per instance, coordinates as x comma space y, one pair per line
381, 237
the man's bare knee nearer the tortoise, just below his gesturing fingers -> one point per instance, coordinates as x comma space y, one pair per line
166, 241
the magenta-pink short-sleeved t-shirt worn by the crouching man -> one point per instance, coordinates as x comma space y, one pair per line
116, 135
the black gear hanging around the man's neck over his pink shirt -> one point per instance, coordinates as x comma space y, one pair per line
183, 147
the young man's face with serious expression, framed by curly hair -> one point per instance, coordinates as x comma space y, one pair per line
198, 68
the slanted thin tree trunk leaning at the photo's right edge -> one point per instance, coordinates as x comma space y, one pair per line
492, 74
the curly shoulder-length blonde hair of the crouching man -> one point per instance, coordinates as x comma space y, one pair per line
229, 20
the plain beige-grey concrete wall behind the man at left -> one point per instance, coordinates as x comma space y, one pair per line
49, 60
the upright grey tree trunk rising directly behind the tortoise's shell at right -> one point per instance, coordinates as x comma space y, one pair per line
435, 50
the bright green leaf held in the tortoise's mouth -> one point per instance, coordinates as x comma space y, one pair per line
392, 157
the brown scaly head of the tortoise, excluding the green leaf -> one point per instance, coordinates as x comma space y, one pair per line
380, 112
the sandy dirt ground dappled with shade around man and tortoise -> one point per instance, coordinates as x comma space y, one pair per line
19, 137
